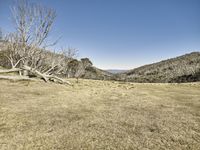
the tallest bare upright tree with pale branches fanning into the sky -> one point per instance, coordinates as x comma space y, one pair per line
33, 24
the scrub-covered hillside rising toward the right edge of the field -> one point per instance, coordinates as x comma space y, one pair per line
184, 68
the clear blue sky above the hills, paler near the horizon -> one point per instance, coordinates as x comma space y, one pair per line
122, 34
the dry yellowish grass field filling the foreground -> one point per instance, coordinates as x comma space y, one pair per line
99, 115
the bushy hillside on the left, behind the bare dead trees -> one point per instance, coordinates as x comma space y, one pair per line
62, 64
